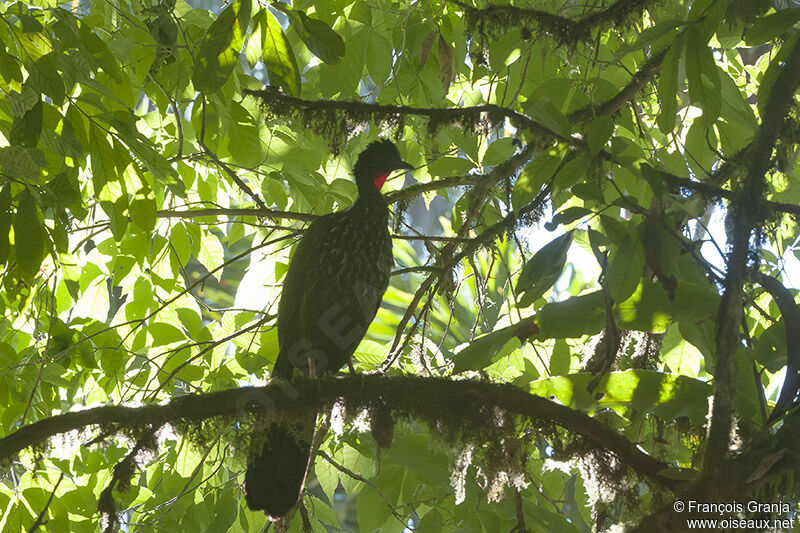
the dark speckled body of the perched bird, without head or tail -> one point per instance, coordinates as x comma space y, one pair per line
336, 279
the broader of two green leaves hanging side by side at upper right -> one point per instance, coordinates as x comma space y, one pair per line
702, 74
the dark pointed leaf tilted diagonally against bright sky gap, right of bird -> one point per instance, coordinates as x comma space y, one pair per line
543, 269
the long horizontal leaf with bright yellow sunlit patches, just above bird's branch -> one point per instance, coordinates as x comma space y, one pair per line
667, 395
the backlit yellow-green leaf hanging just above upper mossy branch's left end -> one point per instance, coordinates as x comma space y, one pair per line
277, 54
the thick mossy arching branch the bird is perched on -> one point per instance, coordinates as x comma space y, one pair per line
455, 404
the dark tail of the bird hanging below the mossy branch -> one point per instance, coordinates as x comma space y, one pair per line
276, 475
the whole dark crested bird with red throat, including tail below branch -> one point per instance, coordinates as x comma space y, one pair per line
333, 288
